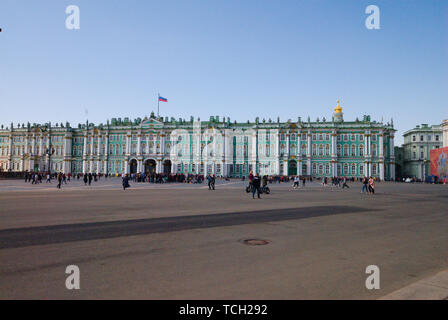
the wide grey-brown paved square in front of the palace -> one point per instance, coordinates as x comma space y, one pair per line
182, 241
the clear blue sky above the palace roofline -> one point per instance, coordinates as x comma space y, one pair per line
236, 58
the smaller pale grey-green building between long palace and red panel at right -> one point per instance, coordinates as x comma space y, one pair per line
416, 149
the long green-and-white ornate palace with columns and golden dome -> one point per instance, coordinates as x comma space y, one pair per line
218, 146
